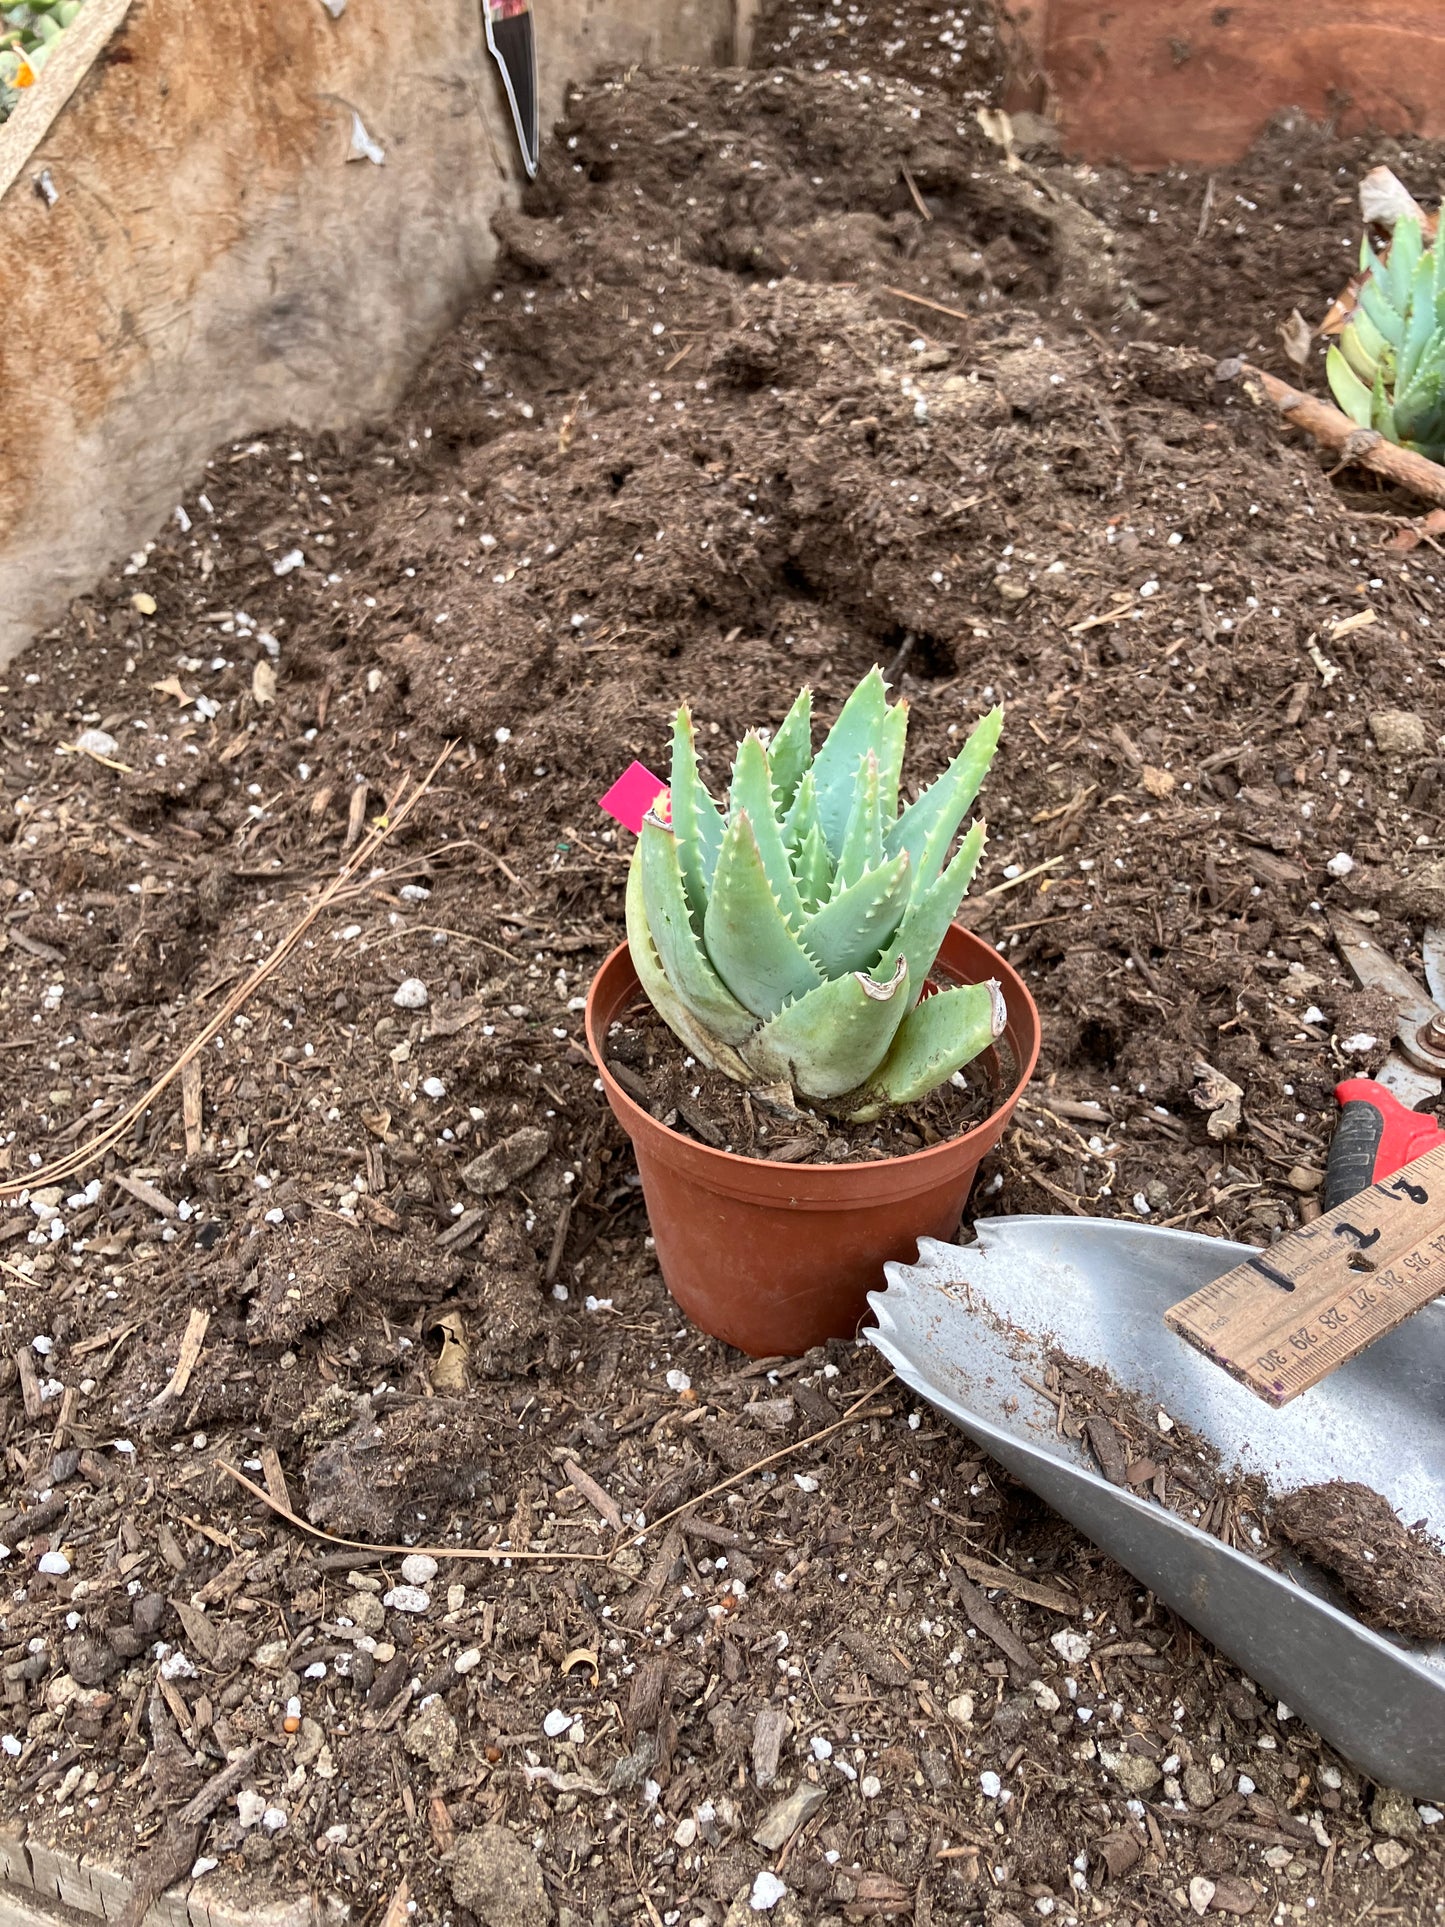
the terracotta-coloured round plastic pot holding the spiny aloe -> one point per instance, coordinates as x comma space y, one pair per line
779, 1257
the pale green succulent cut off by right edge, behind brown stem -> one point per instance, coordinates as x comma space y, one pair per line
1388, 371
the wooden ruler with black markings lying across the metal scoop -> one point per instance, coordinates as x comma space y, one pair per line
1292, 1315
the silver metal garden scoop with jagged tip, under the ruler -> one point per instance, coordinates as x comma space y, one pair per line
968, 1327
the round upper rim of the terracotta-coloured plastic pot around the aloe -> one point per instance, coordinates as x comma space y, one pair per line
1024, 1020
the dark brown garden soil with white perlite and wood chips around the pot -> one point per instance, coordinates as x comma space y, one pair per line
785, 373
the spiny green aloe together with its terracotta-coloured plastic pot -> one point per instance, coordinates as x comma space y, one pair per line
802, 941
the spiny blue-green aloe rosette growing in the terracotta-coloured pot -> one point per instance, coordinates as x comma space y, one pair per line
789, 937
